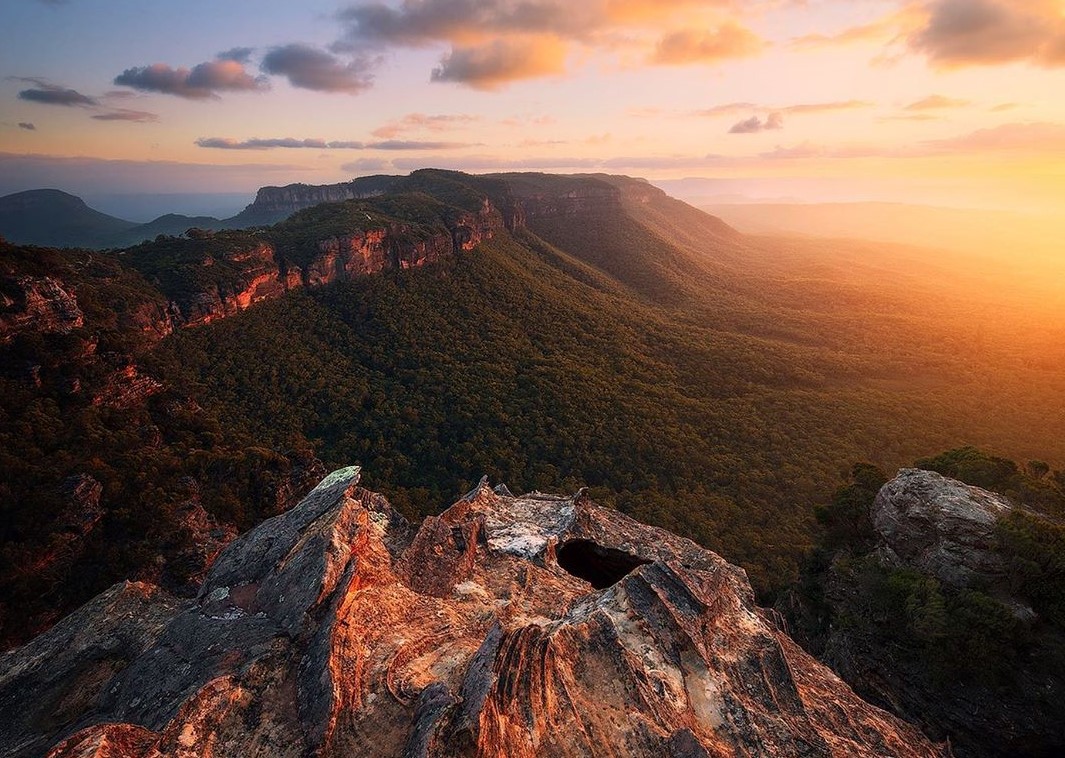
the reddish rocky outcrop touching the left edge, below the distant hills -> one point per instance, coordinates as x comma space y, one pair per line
37, 305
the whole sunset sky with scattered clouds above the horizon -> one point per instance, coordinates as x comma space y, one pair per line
951, 103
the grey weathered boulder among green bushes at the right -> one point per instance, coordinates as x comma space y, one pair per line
941, 526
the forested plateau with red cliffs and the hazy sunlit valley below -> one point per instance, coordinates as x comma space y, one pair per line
551, 332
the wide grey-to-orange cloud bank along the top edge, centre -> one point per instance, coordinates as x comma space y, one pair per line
489, 39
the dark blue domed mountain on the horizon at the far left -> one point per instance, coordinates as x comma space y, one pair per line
56, 219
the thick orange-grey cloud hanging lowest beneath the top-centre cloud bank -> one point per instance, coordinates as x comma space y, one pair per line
502, 61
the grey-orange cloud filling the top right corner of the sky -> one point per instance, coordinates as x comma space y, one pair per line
982, 32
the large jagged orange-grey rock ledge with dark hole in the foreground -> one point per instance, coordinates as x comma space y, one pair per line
509, 627
